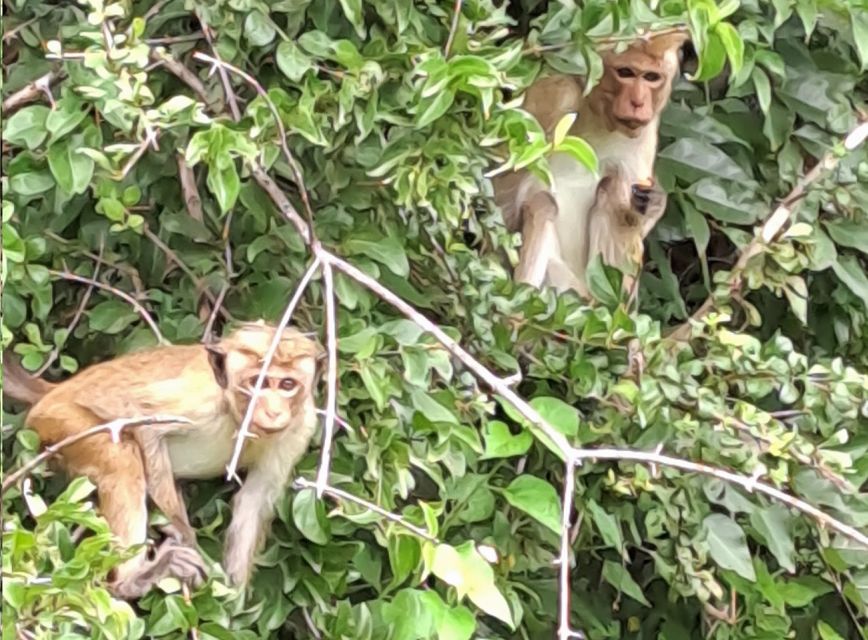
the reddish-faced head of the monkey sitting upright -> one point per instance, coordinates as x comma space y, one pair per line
636, 83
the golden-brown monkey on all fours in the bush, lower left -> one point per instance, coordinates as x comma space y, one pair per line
210, 386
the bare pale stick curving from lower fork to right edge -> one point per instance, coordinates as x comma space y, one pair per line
748, 482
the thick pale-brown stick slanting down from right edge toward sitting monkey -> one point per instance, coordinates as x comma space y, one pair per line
773, 226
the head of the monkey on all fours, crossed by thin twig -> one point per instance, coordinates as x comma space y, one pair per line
289, 381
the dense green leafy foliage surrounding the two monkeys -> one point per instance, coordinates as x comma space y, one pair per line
395, 141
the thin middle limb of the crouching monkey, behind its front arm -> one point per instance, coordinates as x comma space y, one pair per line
161, 483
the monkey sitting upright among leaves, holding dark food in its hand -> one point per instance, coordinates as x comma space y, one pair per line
619, 118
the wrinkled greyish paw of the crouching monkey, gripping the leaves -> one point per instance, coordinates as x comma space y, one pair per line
171, 560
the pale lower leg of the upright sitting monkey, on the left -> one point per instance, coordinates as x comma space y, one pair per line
539, 240
